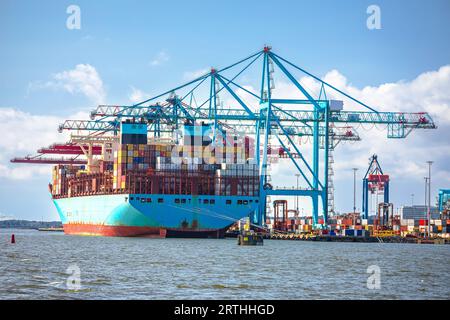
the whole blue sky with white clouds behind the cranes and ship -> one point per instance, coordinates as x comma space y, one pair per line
126, 51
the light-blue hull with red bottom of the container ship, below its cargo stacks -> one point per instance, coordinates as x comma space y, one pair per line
153, 215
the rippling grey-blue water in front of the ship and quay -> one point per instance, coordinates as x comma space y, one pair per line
49, 265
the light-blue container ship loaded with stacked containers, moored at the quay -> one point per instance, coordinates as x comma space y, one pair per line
133, 185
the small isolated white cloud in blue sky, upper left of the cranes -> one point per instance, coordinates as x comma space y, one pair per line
83, 79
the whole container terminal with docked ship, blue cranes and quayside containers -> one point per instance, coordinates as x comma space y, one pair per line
195, 160
